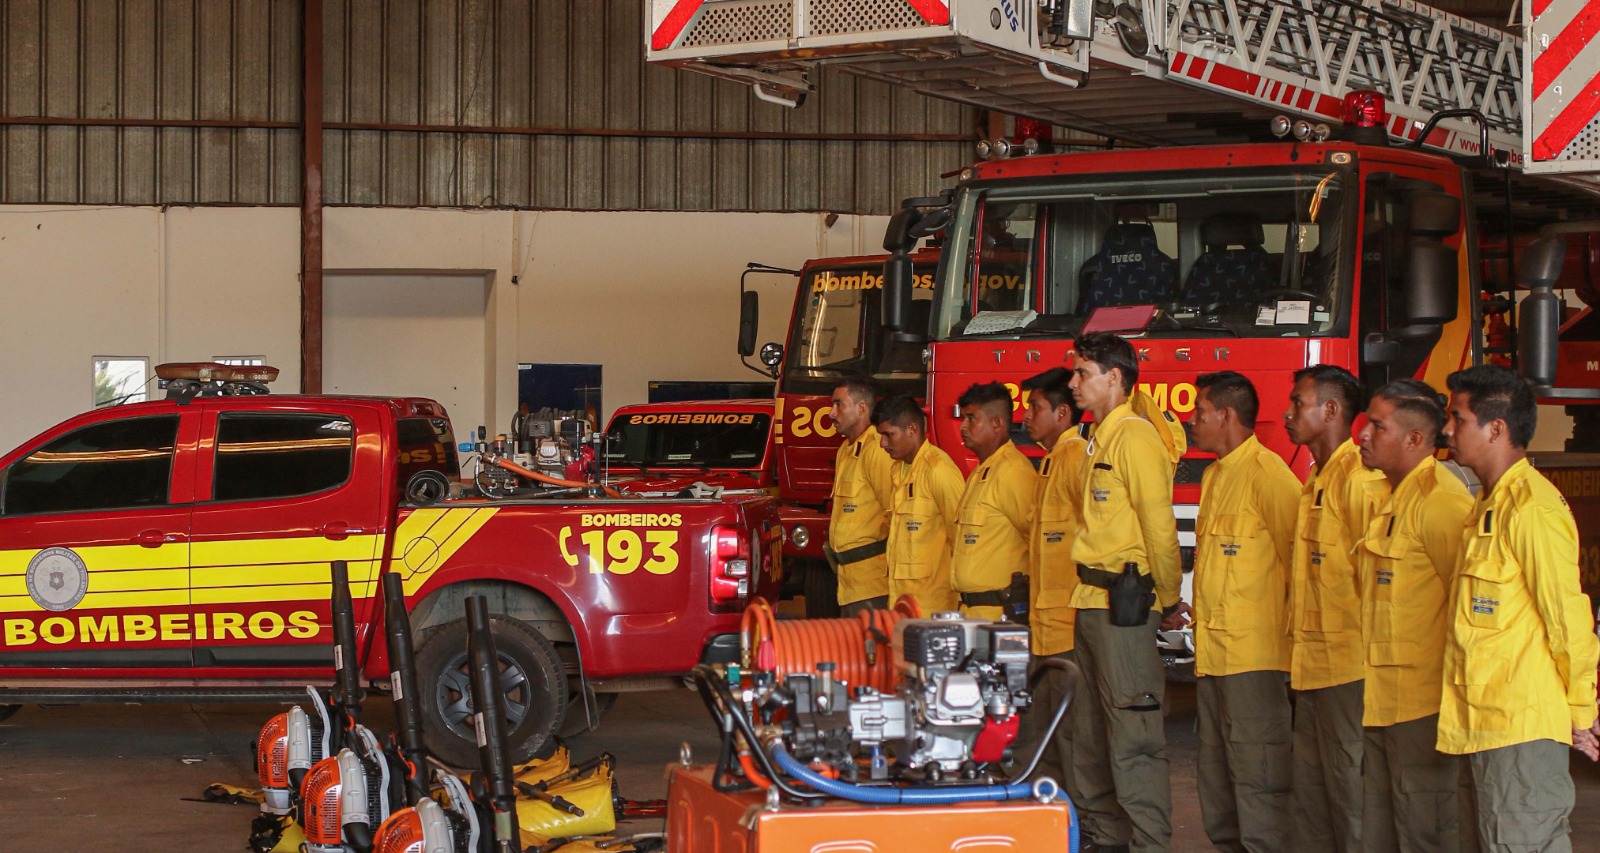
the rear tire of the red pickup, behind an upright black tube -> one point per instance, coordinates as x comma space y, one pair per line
532, 676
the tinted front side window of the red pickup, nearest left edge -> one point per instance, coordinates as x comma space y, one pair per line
114, 465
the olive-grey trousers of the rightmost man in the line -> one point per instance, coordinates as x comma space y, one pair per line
1524, 798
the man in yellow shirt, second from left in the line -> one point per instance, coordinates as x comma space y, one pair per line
927, 497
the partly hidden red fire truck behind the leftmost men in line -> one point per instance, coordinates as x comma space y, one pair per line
834, 330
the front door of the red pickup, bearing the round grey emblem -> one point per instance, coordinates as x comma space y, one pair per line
95, 558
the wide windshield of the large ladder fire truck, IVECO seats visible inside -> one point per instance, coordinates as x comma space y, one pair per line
1230, 254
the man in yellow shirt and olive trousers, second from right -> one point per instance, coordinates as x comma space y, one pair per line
1407, 566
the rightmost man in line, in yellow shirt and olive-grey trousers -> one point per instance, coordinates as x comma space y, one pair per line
1521, 654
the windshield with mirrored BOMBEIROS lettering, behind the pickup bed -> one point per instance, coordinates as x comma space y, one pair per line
690, 439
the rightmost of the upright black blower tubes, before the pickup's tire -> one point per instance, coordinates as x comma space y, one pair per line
490, 705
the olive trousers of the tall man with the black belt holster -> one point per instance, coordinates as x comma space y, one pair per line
1119, 751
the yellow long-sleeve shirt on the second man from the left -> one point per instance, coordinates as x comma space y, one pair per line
922, 527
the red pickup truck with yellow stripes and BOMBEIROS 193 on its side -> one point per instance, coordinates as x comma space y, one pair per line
178, 551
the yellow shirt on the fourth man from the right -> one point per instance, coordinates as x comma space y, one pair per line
1244, 545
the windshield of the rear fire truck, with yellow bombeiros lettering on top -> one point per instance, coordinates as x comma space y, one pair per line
841, 332
